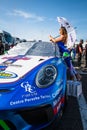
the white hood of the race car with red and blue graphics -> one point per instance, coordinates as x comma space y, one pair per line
12, 68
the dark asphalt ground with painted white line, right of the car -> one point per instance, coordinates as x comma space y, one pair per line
73, 117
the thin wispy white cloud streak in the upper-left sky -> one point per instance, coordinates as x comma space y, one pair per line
26, 15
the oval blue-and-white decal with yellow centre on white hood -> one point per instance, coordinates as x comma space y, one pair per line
7, 75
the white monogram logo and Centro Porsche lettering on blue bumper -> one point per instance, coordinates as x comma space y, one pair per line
31, 96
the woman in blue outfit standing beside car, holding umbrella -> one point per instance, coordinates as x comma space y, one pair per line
61, 41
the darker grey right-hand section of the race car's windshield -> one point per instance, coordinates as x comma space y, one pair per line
43, 49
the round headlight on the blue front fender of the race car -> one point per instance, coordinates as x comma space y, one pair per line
46, 76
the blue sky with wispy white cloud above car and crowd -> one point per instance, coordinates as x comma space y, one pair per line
37, 19
